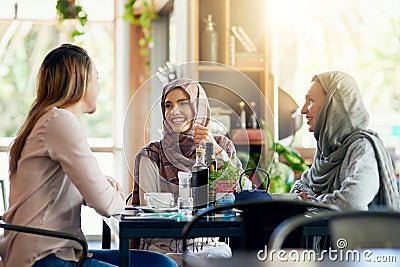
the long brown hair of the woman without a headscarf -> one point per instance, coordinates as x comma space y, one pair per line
62, 81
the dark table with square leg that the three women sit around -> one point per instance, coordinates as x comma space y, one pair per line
165, 228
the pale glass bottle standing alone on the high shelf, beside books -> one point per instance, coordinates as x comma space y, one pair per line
209, 42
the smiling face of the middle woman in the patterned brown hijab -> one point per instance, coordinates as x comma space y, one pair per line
178, 113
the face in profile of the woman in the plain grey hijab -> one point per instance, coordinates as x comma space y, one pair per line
315, 97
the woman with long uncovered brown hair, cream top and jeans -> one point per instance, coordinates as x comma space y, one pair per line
53, 171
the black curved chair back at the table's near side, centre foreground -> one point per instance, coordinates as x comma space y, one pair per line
259, 219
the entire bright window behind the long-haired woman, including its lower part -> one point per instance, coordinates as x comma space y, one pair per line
24, 41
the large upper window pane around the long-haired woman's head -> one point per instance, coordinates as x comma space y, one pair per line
25, 45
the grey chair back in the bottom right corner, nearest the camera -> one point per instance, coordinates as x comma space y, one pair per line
348, 230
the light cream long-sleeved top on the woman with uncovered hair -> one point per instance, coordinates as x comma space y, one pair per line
56, 174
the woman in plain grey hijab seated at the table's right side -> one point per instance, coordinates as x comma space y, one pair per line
351, 168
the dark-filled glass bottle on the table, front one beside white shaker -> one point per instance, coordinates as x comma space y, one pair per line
199, 181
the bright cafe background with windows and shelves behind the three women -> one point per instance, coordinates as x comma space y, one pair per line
254, 58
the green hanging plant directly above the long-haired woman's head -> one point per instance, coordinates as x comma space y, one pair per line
70, 10
